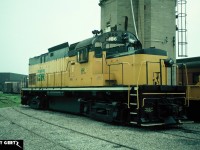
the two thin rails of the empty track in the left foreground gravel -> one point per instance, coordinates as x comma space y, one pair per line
116, 145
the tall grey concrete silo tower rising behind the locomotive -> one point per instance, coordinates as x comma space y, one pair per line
153, 21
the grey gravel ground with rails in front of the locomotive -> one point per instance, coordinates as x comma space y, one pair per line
48, 130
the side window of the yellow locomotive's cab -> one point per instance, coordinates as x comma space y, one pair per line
82, 55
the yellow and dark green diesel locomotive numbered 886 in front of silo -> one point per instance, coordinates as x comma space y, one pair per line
108, 77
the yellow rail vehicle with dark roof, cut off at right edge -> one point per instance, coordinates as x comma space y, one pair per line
189, 74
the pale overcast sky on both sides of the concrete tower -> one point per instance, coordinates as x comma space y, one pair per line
29, 27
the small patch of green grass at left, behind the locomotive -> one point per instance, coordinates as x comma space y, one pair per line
9, 100
